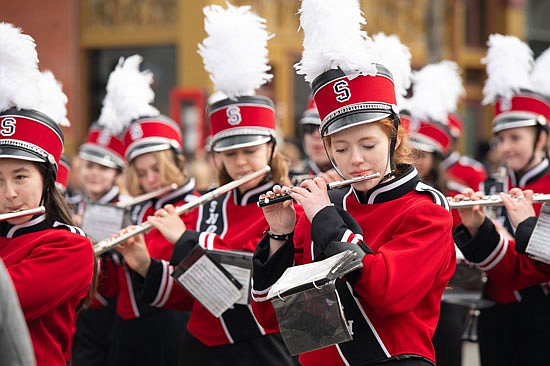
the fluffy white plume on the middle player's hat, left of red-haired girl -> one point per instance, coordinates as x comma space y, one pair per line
235, 50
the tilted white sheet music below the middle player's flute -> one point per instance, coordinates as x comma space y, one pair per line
210, 286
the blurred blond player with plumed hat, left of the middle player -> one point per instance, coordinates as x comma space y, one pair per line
142, 334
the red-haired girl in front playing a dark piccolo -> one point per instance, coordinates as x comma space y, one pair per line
399, 226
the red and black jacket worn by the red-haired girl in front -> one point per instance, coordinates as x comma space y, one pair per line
393, 305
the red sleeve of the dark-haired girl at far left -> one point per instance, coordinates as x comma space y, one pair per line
58, 271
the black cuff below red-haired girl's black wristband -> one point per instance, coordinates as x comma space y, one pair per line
266, 270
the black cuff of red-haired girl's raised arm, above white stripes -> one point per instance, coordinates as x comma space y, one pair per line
327, 225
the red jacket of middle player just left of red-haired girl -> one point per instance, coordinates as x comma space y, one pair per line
232, 221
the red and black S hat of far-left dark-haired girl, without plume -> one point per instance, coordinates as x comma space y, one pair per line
30, 135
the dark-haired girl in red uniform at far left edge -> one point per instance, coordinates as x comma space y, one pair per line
50, 262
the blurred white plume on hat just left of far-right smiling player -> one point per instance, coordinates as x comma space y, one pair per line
437, 89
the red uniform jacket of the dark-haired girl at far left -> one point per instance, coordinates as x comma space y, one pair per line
51, 268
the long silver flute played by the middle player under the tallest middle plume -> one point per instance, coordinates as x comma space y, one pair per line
125, 234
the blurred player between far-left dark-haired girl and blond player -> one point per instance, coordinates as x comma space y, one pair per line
102, 162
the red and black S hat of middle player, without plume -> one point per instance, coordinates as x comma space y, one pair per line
247, 121
